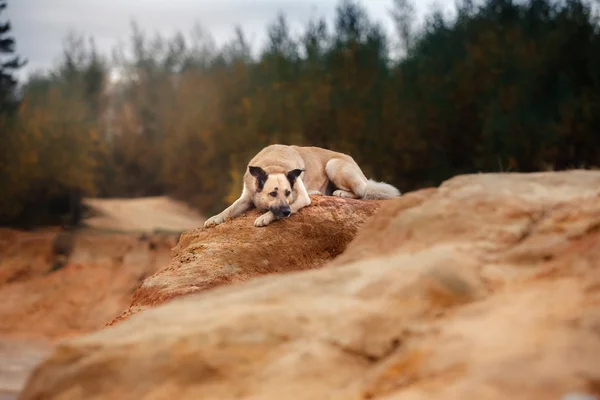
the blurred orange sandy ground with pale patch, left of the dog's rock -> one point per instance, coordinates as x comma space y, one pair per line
110, 259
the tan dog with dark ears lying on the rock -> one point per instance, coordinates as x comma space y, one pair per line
280, 178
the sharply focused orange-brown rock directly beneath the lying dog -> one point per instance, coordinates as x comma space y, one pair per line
236, 250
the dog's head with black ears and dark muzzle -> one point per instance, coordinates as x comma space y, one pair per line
275, 192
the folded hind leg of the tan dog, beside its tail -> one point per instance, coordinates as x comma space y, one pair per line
347, 178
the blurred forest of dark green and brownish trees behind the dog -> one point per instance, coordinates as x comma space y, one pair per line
501, 85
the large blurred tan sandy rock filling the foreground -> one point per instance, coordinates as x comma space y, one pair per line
487, 288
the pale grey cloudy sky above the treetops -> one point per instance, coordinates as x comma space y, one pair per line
40, 26
